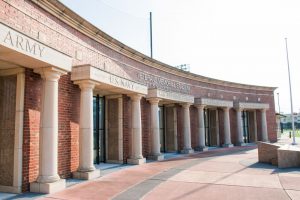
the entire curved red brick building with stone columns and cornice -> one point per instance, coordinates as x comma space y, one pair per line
71, 96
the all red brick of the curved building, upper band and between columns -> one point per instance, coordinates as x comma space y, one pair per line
28, 18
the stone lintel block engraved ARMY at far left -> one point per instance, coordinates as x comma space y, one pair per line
32, 49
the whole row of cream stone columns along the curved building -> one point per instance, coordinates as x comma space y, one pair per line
48, 164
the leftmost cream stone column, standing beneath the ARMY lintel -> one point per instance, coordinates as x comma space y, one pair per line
48, 180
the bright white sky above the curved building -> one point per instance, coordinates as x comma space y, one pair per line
234, 40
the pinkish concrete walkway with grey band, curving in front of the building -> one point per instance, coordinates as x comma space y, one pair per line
217, 174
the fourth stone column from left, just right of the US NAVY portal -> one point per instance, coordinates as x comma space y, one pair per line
155, 142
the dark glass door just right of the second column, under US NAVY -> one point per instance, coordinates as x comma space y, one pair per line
99, 134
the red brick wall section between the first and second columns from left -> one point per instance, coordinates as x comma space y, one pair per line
68, 126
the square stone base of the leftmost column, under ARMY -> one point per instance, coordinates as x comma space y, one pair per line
48, 188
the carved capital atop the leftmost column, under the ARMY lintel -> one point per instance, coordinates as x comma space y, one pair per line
50, 73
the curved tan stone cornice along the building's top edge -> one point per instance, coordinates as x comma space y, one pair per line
65, 14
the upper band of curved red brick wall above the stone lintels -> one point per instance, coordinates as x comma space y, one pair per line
28, 18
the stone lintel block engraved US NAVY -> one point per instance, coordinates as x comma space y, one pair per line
88, 72
